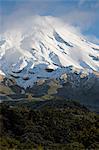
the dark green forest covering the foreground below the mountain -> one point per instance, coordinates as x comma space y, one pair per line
51, 125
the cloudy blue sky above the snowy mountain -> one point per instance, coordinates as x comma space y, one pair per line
81, 13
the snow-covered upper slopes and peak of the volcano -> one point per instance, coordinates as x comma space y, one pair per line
45, 48
